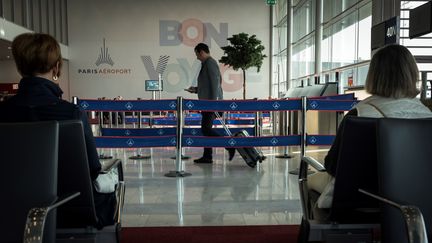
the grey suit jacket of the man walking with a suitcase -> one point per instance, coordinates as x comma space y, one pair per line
209, 81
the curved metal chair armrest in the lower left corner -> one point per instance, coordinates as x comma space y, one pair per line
36, 218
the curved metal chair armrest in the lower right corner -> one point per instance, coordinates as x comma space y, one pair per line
413, 218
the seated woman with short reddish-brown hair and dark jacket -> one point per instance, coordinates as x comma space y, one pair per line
38, 60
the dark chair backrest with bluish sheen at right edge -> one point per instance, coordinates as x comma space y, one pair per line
404, 169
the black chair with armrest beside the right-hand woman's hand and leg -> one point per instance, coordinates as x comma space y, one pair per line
353, 216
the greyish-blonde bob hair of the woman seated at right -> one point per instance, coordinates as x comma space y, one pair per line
392, 73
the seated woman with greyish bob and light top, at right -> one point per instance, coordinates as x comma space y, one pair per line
391, 80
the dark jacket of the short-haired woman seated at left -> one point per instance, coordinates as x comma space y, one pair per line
39, 99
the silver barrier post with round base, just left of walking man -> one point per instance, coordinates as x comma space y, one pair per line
179, 172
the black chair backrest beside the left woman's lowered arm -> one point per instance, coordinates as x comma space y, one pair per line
74, 176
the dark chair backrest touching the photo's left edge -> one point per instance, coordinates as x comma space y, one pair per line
29, 153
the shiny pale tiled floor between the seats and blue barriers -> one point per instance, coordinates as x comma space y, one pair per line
222, 193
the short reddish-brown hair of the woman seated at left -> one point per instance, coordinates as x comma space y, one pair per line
36, 53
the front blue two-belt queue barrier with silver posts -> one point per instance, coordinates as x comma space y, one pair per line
181, 138
